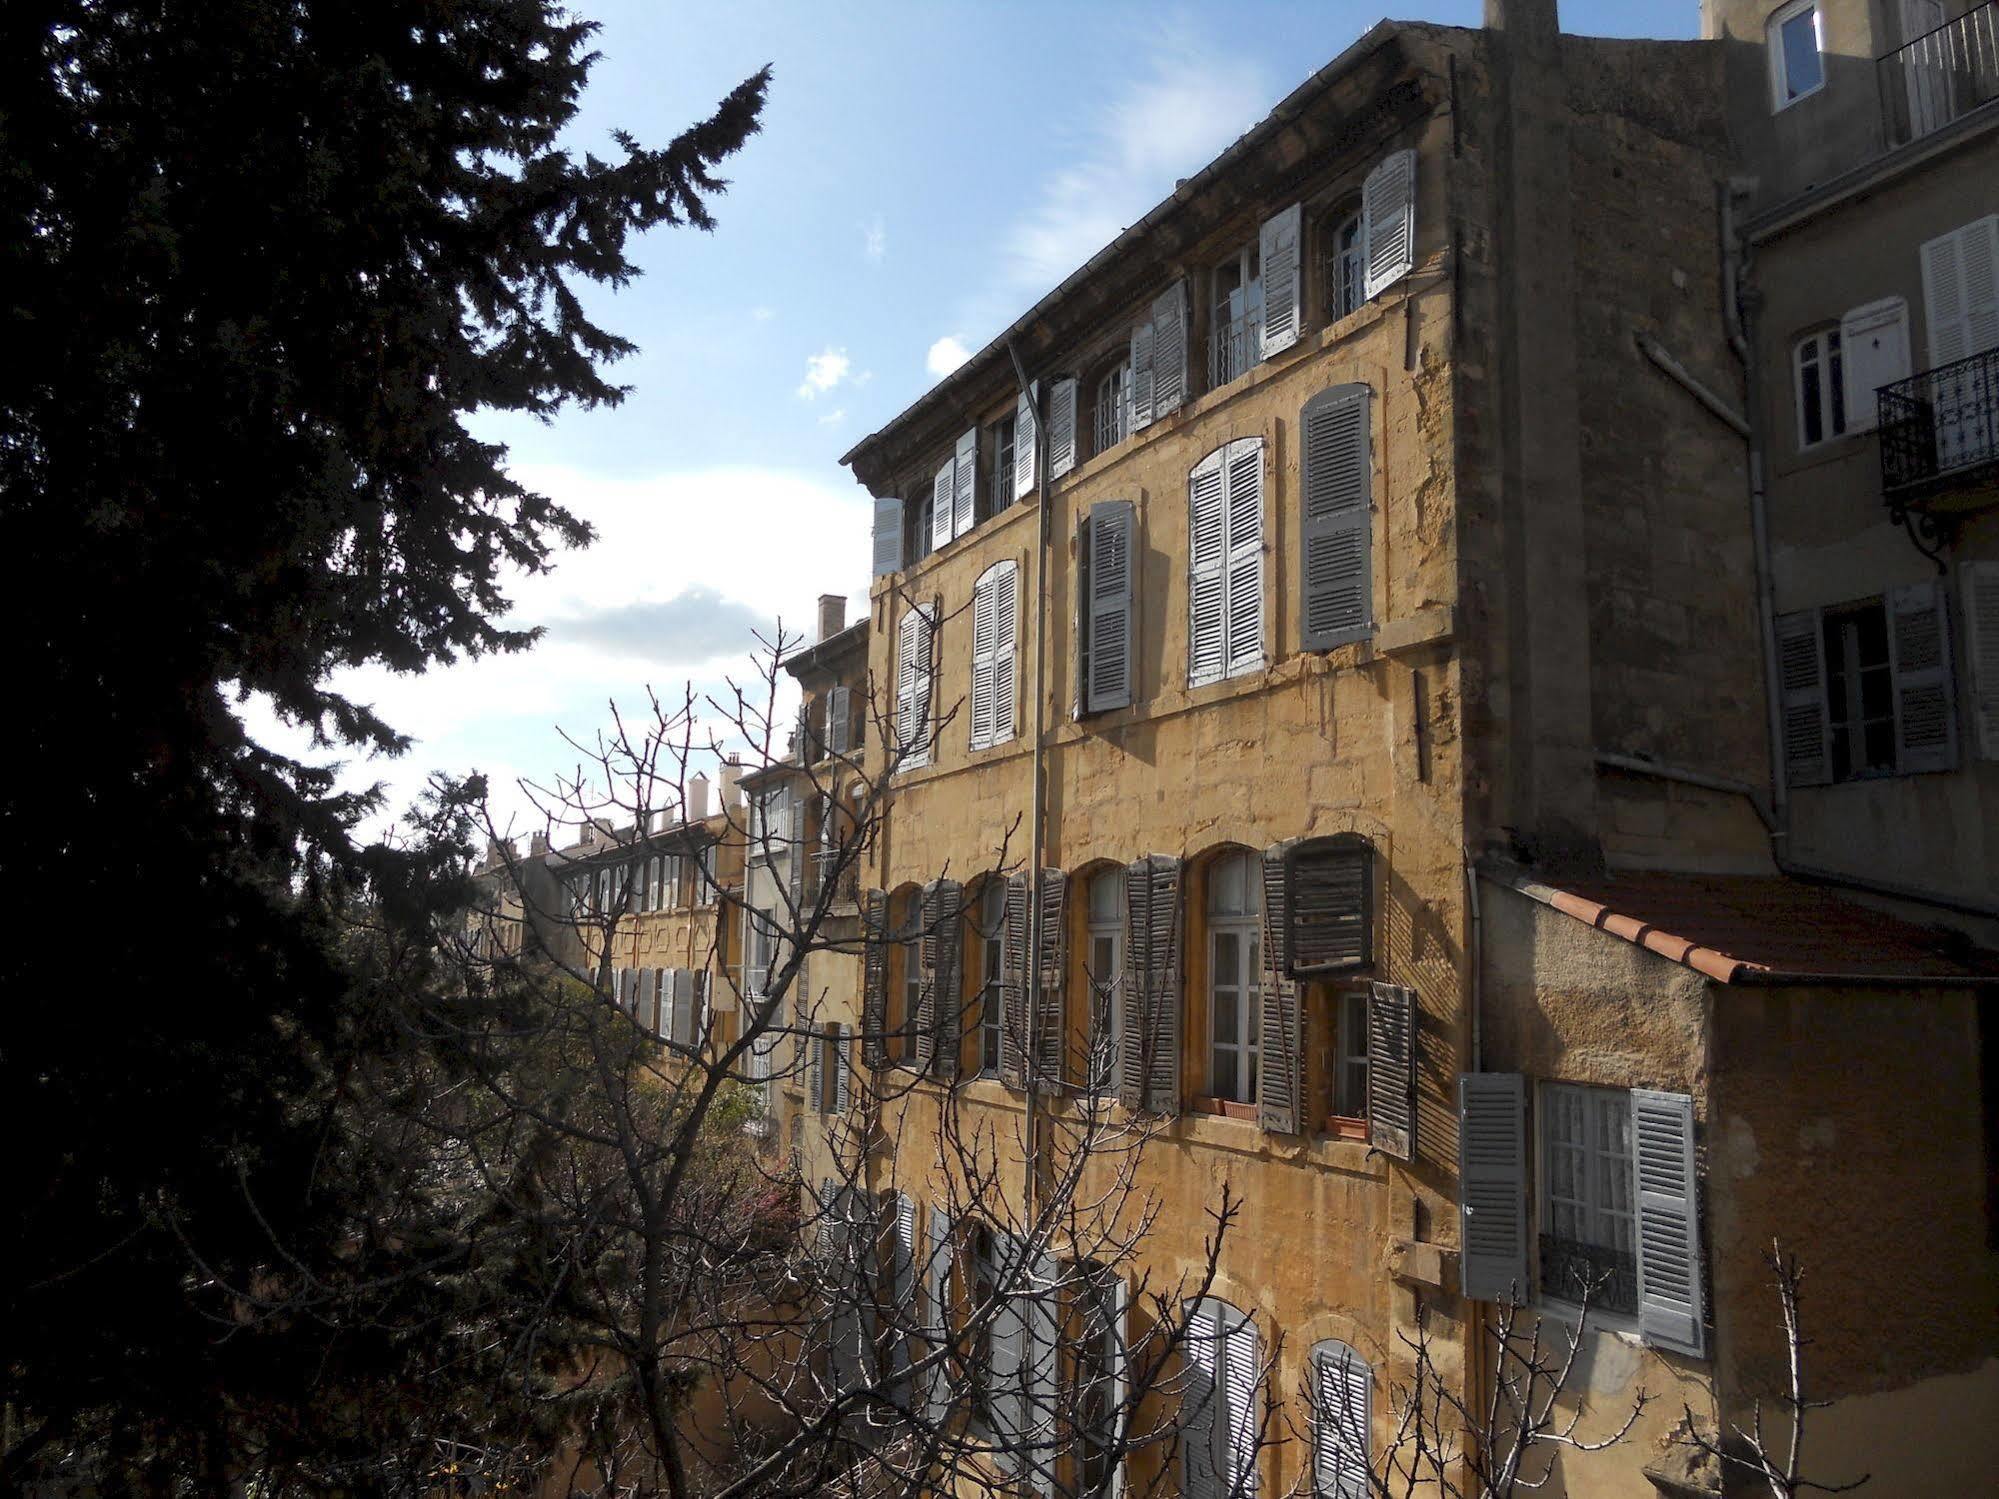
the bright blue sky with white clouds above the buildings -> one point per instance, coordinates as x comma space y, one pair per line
925, 175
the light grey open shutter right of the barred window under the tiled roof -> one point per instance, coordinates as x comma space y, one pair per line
1668, 1222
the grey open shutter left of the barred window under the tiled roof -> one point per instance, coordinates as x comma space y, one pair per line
1492, 1184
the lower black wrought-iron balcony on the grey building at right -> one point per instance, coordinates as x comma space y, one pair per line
1940, 437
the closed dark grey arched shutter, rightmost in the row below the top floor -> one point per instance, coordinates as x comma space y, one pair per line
1338, 597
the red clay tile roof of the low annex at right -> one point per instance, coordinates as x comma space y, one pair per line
1754, 930
